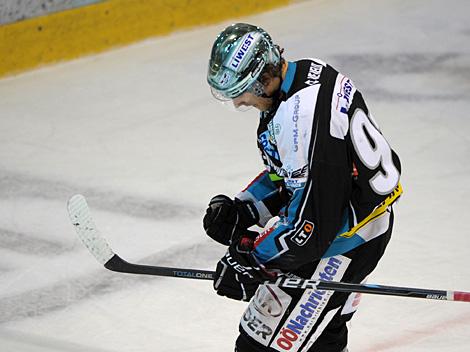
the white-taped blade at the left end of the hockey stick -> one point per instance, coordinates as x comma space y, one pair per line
81, 219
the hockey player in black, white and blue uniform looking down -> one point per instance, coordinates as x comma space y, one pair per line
329, 184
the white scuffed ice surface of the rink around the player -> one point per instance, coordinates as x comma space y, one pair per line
137, 132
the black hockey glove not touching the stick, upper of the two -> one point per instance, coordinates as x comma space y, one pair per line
226, 218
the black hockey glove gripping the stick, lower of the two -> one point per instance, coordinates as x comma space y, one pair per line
238, 275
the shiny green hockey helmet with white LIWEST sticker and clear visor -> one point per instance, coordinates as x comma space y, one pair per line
239, 54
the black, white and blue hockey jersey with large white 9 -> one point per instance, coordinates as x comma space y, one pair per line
331, 176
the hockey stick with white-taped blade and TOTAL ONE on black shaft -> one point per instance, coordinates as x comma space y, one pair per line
88, 233
